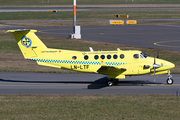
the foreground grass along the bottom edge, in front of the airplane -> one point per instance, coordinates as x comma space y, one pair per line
89, 107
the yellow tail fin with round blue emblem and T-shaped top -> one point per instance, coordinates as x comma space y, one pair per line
28, 42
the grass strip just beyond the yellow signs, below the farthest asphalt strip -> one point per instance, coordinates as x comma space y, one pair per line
89, 15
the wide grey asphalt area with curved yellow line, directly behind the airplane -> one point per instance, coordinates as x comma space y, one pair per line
150, 36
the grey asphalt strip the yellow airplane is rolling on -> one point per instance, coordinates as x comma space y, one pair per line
53, 83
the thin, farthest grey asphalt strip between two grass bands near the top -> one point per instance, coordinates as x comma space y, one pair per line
37, 9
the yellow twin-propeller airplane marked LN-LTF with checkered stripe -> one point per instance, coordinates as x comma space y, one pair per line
115, 64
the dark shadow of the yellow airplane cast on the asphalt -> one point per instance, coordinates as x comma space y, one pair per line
97, 84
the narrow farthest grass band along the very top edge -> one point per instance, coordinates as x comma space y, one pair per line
85, 2
